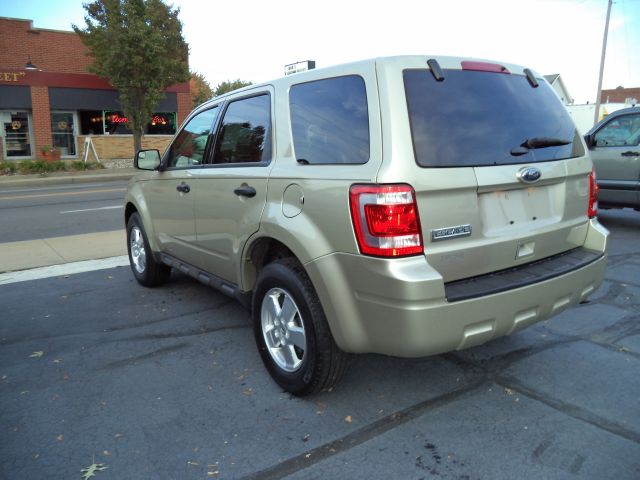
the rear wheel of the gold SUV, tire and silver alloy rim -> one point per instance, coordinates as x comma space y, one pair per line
291, 331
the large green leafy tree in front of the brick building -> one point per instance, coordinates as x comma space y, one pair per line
137, 45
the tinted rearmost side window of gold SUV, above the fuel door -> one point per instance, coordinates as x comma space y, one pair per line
330, 121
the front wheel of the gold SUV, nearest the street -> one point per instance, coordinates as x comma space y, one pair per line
145, 268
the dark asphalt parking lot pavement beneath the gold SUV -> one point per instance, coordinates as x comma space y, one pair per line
166, 383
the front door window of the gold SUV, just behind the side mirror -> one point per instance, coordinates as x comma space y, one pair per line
188, 148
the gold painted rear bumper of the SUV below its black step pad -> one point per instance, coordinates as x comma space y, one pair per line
399, 307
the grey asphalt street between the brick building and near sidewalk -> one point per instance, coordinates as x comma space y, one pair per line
56, 211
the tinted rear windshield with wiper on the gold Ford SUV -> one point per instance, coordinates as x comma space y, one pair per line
476, 118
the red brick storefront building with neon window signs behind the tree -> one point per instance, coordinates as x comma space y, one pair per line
47, 99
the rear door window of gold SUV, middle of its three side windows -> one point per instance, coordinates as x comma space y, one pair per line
245, 132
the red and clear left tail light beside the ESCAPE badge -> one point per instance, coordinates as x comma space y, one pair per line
386, 221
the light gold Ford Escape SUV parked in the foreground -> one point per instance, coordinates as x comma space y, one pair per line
405, 206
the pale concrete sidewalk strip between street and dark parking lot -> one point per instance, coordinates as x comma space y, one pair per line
15, 256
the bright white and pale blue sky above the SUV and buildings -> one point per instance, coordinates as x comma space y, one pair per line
252, 40
